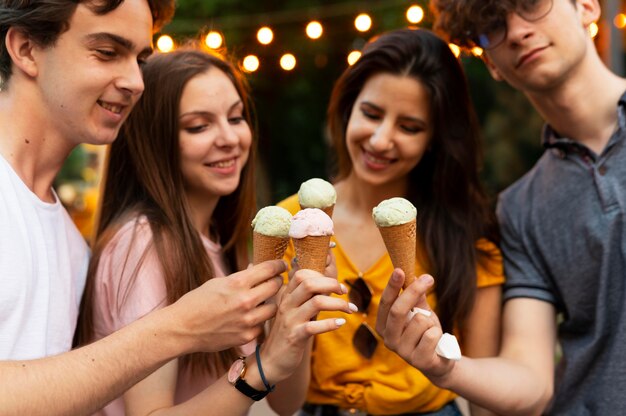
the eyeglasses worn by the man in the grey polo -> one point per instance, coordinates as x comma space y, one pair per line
495, 33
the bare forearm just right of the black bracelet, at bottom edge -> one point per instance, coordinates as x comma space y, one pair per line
290, 393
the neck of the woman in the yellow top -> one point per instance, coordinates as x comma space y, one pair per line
358, 195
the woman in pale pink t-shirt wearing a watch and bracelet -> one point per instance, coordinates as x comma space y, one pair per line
177, 205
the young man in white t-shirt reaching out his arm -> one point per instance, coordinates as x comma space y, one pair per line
70, 74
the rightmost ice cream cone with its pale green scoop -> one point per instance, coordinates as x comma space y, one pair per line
396, 222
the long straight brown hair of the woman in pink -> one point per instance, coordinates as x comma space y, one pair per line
143, 178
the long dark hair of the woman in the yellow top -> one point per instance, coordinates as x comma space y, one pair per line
453, 212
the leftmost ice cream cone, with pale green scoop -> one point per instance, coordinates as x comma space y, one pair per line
270, 234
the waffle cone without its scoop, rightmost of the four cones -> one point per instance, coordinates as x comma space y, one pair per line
400, 241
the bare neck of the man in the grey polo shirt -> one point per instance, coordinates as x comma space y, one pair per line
583, 107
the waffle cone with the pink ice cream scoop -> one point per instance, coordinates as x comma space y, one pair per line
311, 230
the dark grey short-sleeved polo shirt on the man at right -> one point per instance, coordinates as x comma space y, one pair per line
564, 242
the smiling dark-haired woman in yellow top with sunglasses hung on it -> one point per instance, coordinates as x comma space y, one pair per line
402, 124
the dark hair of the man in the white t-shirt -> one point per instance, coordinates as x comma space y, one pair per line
45, 20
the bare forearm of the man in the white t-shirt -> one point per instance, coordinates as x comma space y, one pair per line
82, 381
